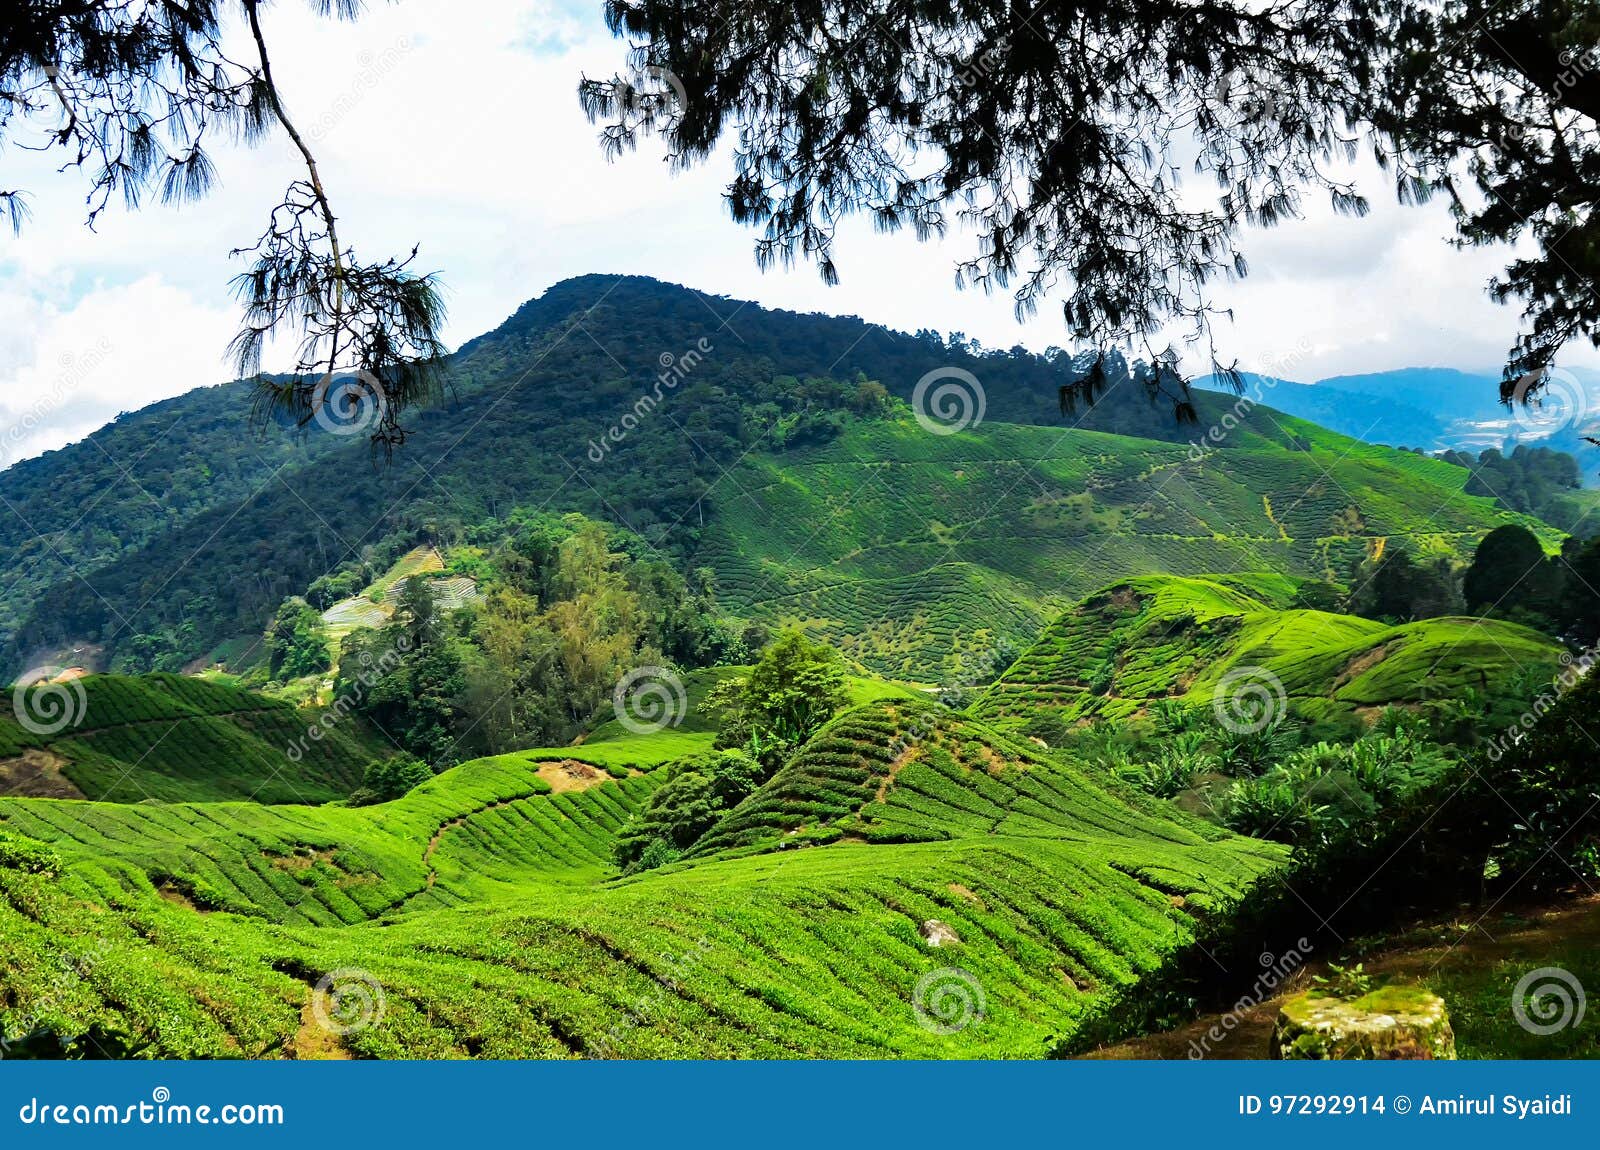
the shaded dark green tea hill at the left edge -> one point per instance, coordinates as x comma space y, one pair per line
172, 738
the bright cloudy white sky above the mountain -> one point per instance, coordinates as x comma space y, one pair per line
457, 126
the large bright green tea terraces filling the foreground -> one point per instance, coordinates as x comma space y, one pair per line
481, 916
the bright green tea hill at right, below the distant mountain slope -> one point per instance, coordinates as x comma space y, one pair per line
1162, 637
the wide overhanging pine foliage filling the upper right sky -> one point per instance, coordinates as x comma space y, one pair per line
1062, 132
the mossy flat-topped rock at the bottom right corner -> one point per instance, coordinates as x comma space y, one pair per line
1391, 1023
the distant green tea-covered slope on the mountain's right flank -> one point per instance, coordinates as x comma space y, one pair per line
913, 551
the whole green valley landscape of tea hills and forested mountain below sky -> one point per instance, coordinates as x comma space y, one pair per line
791, 729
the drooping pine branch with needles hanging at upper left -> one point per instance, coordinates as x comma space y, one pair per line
130, 92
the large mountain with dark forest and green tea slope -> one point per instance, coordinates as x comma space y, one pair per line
722, 436
